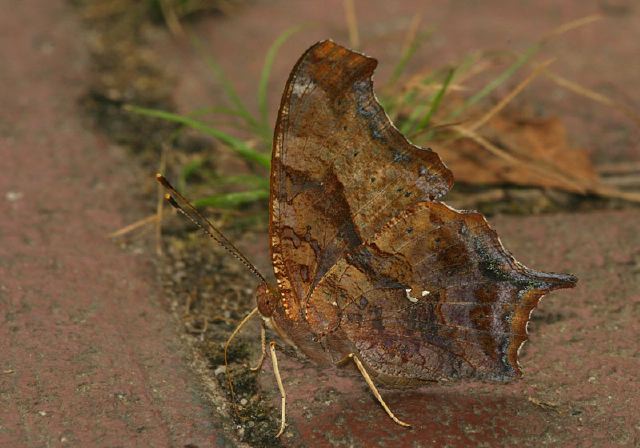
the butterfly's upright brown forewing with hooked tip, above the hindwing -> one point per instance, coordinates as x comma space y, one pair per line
340, 170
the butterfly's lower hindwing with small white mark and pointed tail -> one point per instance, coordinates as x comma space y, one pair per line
433, 296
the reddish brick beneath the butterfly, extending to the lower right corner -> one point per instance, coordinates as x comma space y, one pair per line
580, 363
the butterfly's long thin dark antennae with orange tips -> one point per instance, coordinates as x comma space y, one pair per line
181, 204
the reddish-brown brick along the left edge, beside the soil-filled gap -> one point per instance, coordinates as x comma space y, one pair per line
88, 357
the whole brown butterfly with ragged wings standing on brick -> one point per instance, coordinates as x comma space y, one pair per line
371, 268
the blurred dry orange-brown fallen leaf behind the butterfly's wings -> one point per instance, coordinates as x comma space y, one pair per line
520, 151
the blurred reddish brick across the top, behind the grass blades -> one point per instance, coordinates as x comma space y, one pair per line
602, 56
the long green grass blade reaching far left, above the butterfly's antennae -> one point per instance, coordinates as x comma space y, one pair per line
237, 145
